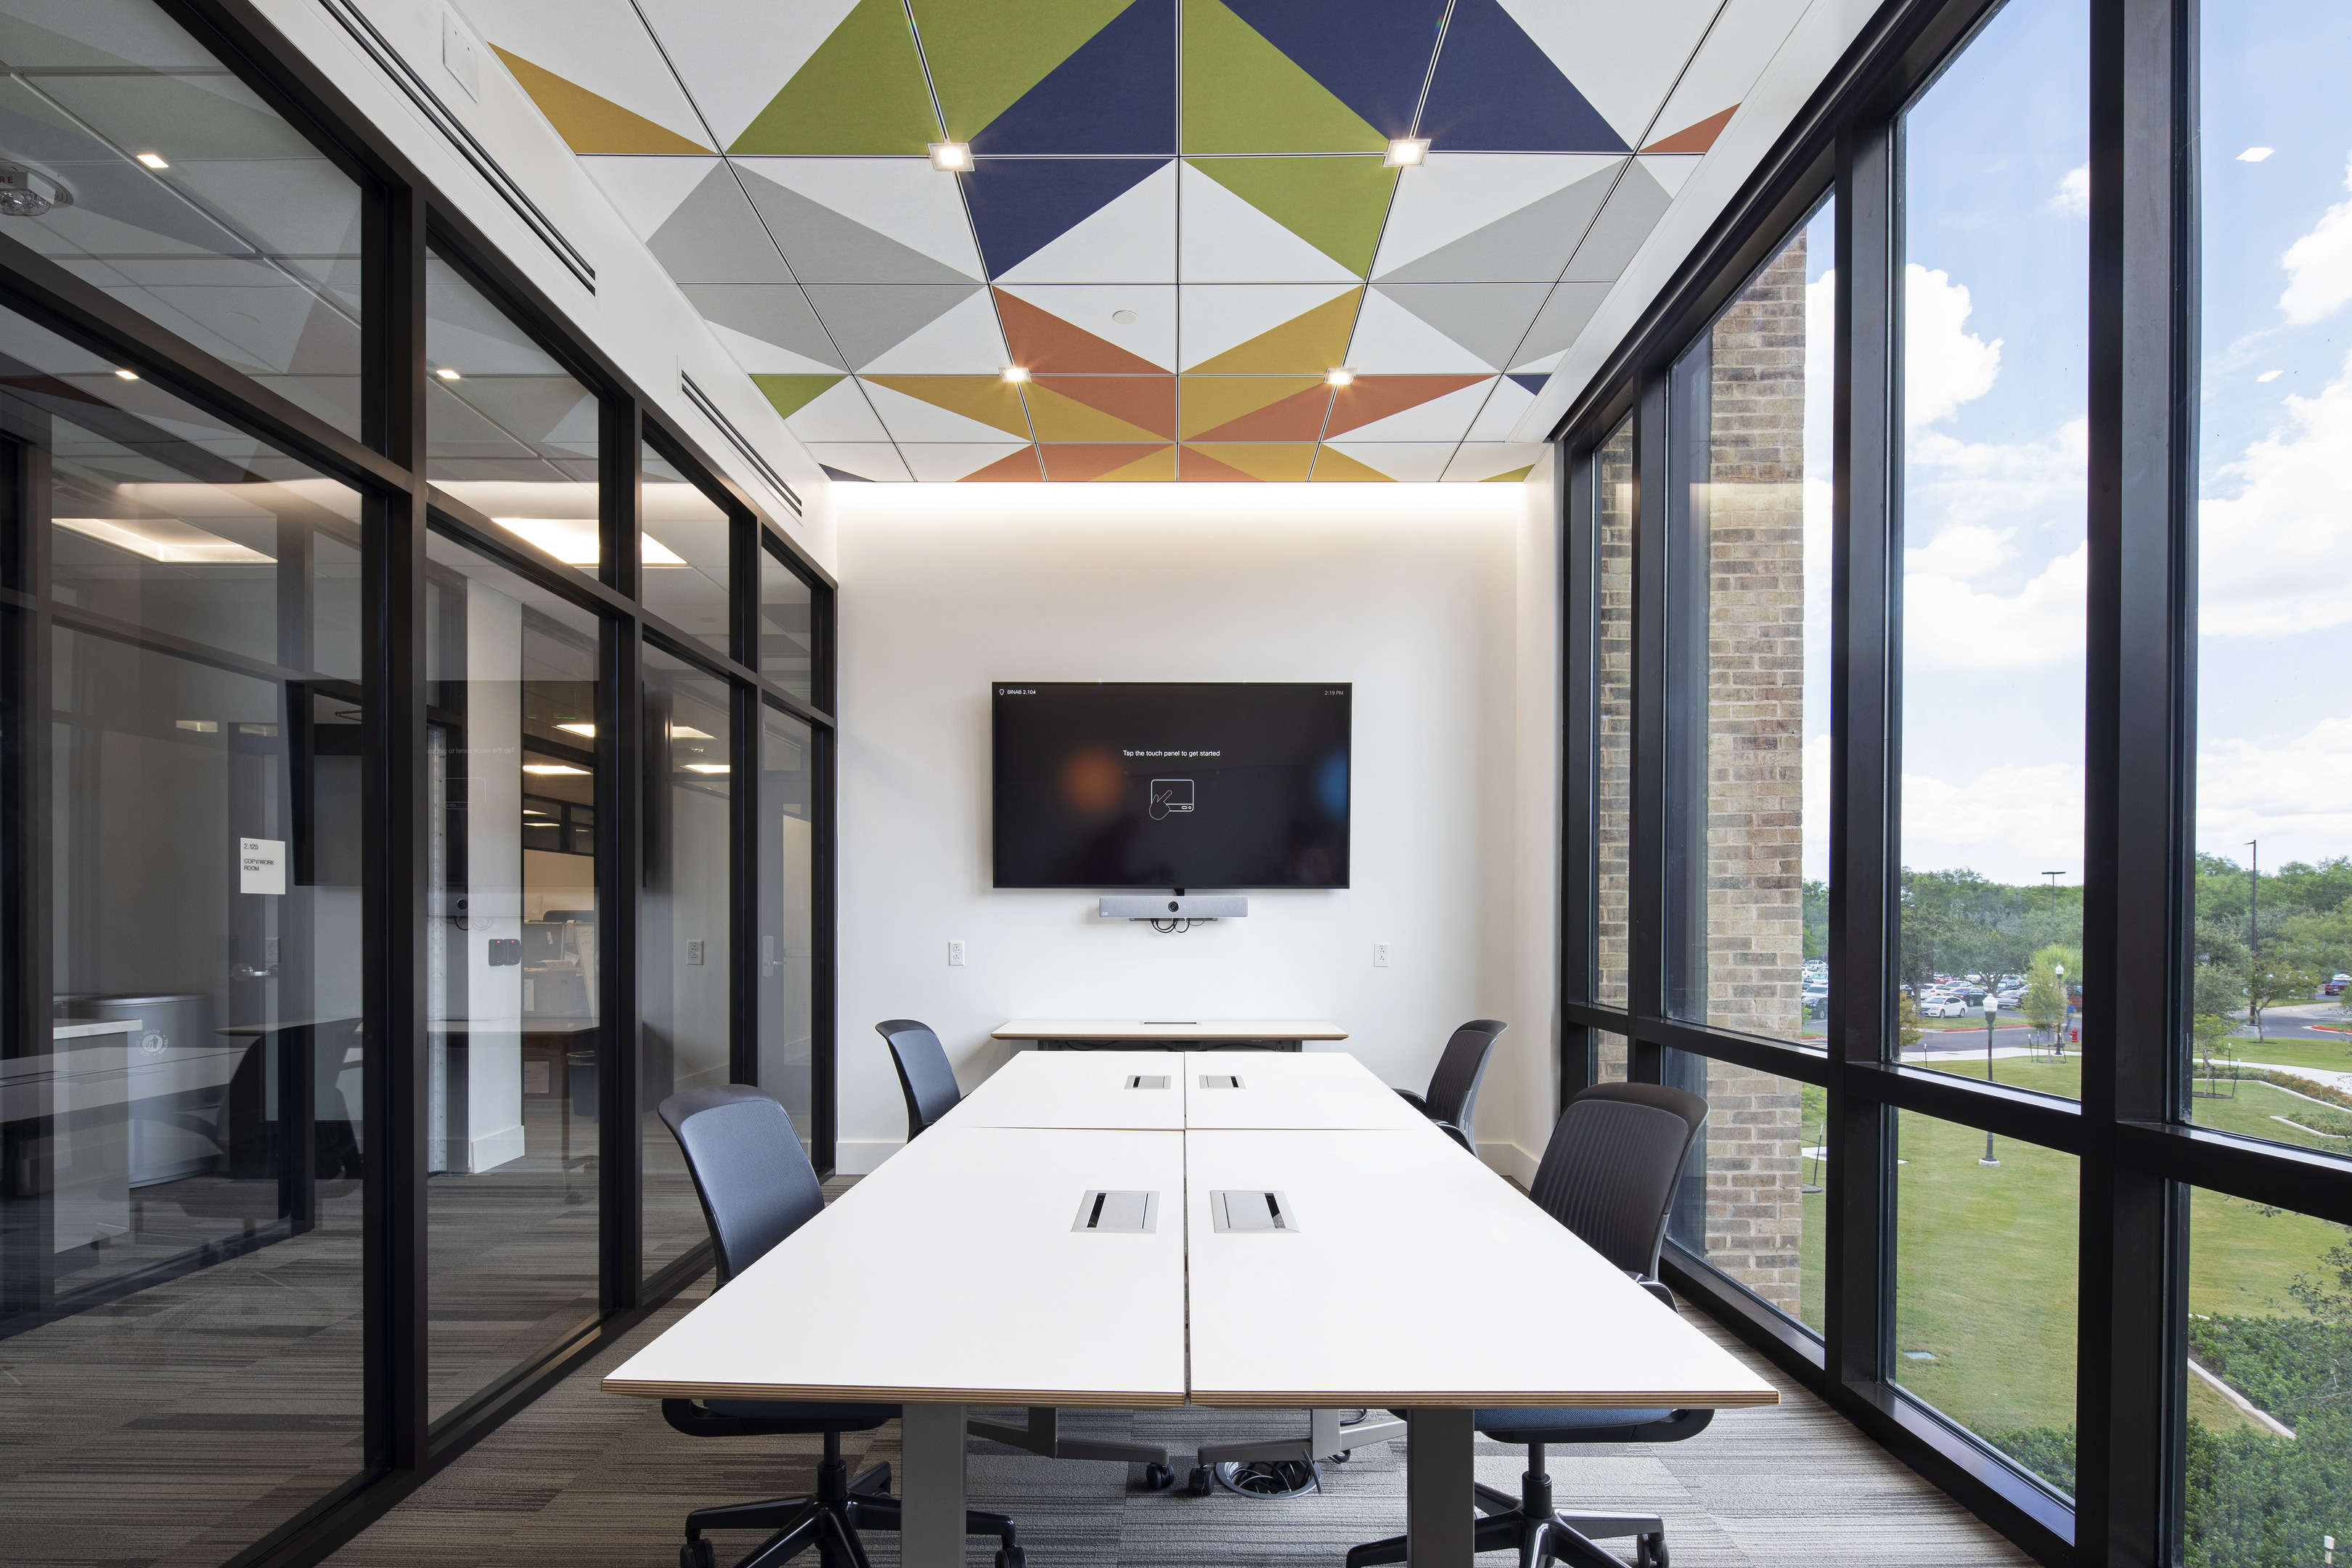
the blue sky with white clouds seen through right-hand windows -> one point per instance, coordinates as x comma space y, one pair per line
1996, 344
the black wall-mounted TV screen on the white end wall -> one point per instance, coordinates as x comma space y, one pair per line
1172, 786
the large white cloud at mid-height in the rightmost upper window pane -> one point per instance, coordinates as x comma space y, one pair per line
2271, 558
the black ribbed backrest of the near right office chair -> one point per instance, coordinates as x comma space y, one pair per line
1612, 1162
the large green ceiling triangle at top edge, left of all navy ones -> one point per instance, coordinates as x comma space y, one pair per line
862, 93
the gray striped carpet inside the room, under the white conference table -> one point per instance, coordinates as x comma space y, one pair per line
587, 1477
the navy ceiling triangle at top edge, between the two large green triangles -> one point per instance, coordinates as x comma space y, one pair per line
1114, 95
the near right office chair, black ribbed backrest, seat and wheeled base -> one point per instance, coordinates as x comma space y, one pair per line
1610, 1177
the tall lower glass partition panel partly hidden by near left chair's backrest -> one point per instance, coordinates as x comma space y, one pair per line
686, 932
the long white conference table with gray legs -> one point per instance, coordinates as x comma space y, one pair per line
958, 1275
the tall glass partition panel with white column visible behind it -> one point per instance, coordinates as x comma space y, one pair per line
514, 998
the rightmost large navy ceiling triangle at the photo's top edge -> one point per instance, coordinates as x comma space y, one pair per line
1497, 93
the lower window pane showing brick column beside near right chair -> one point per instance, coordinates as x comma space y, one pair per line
1751, 1200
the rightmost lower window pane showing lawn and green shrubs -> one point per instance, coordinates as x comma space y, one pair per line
2269, 1353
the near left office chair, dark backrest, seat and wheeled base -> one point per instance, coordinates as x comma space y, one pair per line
759, 1188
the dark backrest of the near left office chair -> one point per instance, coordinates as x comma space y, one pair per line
749, 1170
